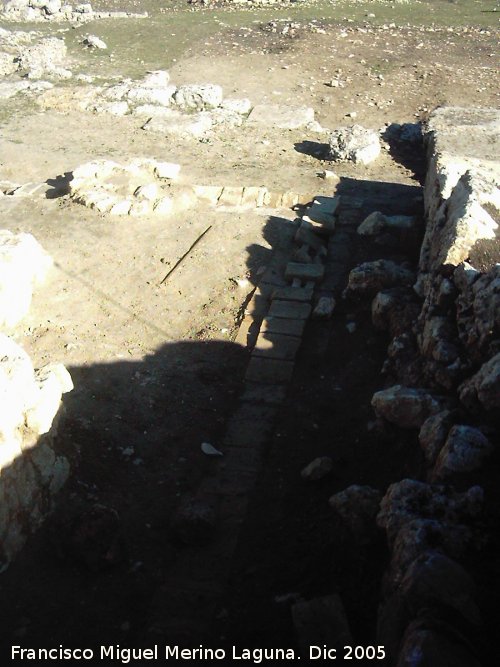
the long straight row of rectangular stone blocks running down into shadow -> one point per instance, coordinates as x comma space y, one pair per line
273, 325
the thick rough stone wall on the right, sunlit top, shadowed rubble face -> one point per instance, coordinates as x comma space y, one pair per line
446, 364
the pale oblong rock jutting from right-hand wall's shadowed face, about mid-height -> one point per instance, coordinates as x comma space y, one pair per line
406, 407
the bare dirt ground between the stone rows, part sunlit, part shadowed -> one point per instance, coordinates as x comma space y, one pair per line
155, 368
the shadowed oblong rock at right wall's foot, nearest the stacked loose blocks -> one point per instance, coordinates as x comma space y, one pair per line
370, 277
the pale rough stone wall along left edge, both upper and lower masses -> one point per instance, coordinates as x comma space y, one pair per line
31, 472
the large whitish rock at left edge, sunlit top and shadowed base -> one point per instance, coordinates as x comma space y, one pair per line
30, 471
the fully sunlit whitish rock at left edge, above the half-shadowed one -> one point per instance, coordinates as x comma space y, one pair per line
23, 265
